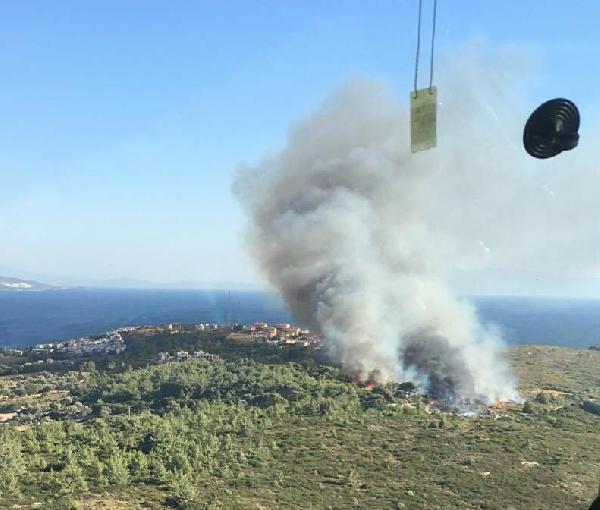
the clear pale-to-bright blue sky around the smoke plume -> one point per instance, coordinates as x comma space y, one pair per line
124, 121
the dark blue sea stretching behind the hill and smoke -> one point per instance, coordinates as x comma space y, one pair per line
27, 318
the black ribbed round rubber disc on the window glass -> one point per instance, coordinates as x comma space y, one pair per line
551, 129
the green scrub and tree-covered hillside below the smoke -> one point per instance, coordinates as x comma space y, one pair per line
260, 431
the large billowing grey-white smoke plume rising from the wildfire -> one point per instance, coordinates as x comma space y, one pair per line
358, 234
